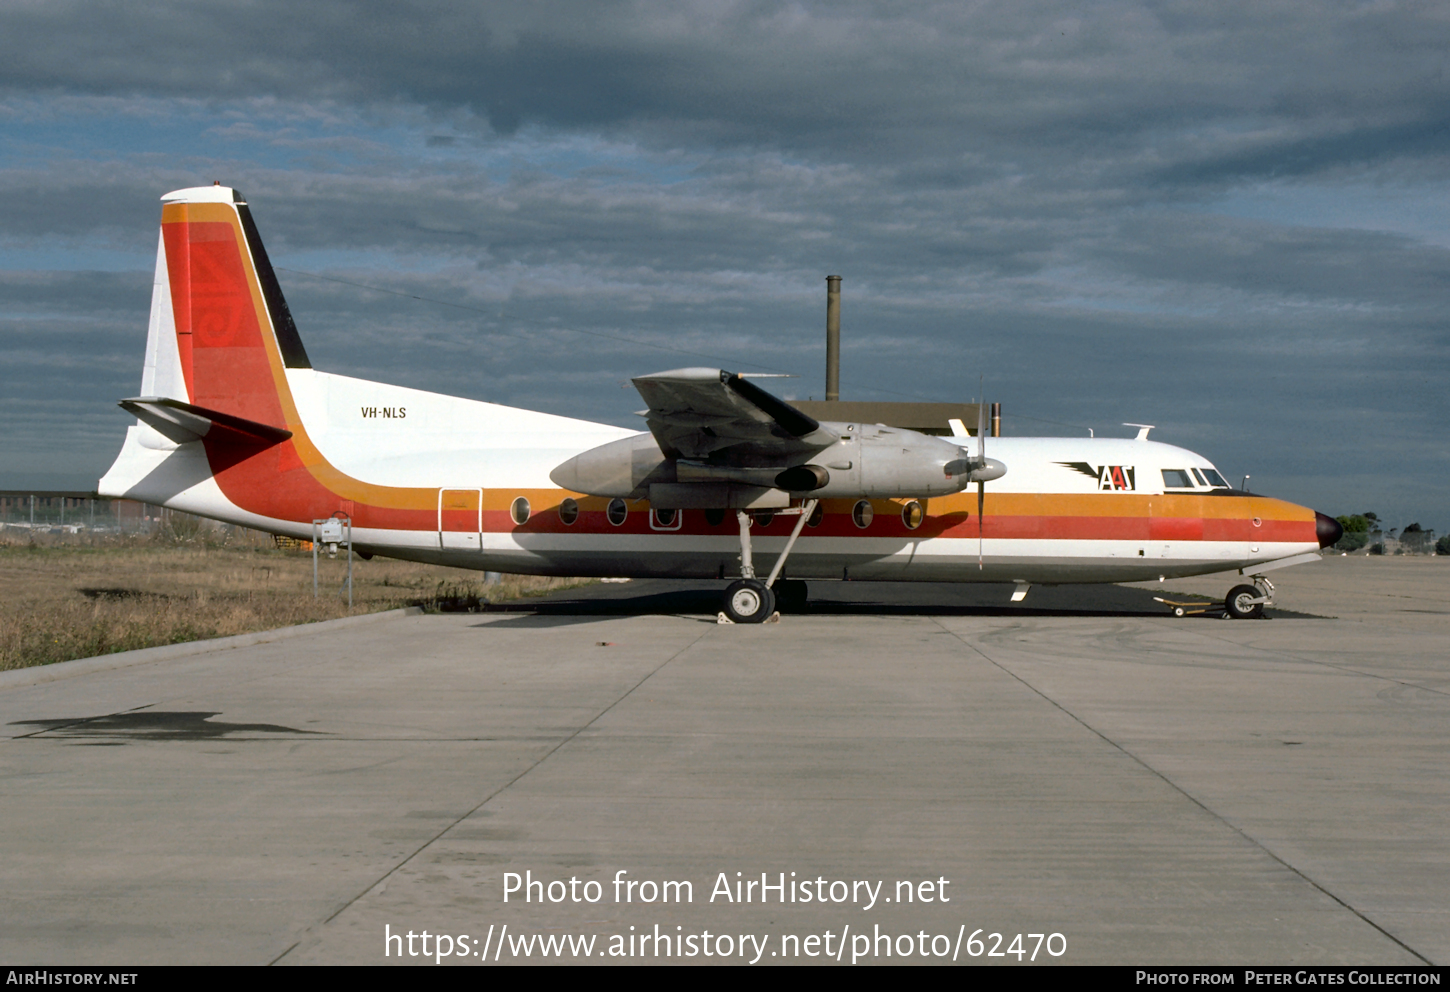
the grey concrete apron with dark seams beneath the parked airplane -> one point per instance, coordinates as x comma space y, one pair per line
1151, 790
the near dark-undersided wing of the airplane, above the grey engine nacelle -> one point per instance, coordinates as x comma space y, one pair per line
698, 411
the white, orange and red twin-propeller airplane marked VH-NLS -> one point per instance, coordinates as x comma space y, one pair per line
234, 424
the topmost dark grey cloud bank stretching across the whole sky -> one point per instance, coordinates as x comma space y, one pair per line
1290, 86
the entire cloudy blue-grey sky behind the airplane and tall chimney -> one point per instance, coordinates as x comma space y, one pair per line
1227, 220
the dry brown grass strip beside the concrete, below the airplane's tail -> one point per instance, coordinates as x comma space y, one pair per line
75, 598
